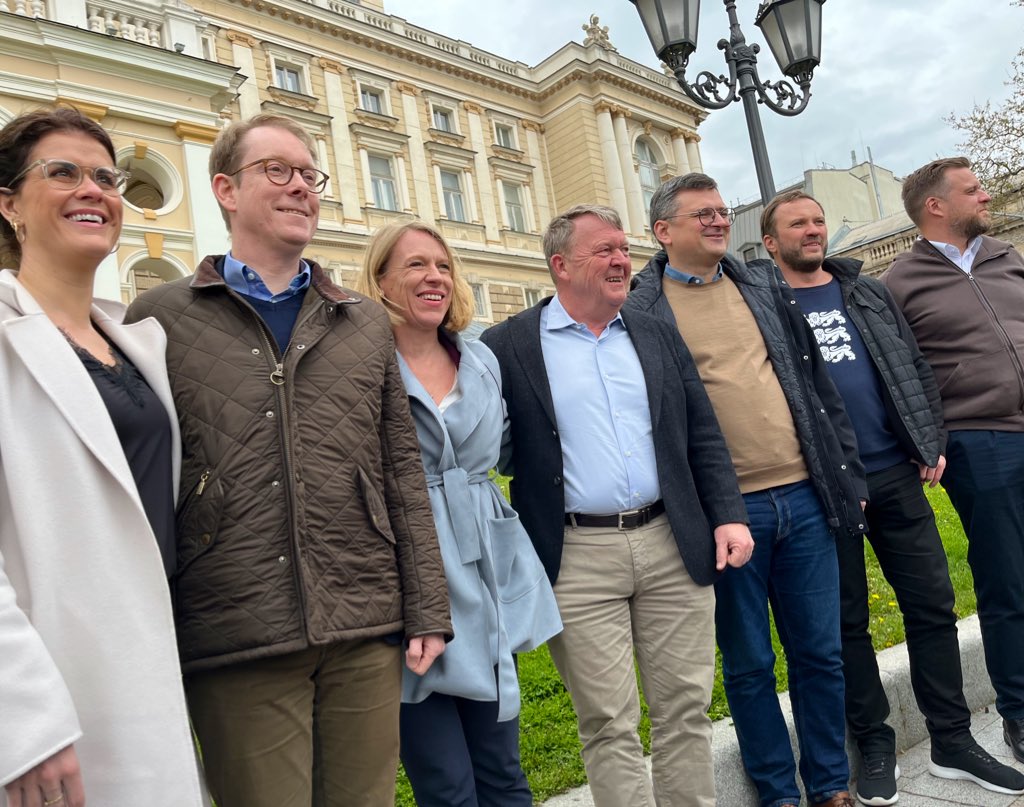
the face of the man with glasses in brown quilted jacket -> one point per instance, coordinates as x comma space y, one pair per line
267, 219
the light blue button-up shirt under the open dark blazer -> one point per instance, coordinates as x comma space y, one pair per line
601, 399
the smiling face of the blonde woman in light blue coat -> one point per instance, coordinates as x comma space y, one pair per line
417, 279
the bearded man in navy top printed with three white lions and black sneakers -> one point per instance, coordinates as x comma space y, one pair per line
893, 403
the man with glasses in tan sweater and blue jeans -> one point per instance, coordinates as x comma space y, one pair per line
796, 459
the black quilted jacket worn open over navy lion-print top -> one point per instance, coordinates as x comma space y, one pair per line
912, 397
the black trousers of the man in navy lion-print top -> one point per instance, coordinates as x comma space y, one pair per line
907, 542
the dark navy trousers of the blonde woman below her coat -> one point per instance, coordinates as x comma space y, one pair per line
458, 755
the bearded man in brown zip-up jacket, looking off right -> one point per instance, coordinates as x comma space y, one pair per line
963, 294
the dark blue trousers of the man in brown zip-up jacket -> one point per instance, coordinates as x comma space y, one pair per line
986, 483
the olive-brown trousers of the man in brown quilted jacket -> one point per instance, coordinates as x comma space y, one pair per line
316, 728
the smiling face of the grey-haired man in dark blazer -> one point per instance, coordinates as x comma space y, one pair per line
594, 277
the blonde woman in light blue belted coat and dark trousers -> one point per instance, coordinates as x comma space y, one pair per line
460, 721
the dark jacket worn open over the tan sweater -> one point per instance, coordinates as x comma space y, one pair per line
827, 438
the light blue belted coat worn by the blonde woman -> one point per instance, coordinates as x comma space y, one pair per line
502, 602
